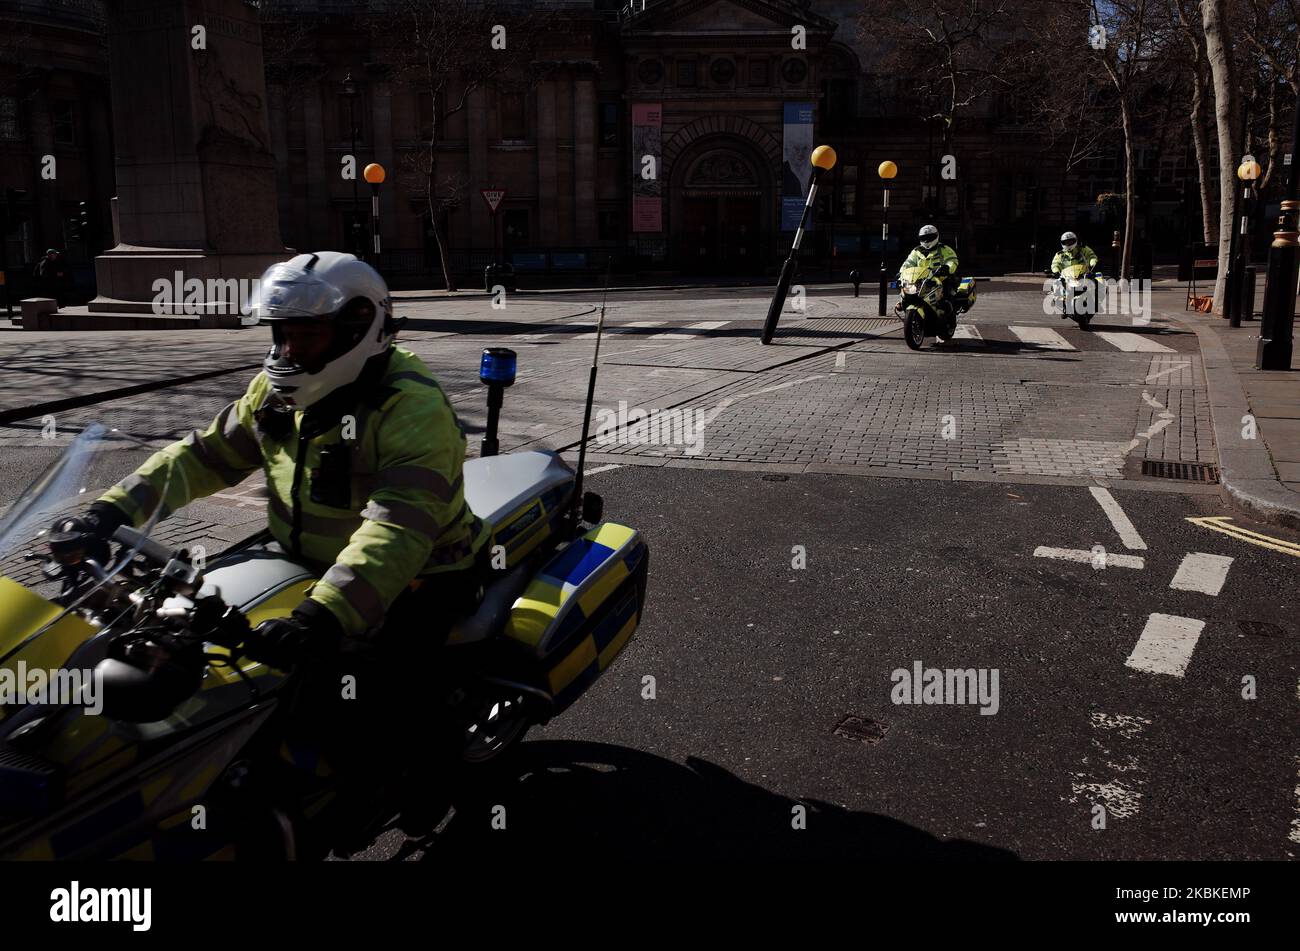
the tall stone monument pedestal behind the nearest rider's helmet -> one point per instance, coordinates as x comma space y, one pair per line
196, 173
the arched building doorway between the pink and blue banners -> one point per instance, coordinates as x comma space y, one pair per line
718, 219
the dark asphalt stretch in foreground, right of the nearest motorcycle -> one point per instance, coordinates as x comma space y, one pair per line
756, 666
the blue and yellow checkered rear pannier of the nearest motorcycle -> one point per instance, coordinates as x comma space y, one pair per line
579, 614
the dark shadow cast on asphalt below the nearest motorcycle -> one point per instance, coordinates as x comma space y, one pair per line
601, 801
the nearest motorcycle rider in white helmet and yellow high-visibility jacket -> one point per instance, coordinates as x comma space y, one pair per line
362, 454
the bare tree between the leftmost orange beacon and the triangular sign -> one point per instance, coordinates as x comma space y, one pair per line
443, 51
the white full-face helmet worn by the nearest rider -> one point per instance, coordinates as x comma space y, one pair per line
331, 288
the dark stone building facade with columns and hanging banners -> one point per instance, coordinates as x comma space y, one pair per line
707, 88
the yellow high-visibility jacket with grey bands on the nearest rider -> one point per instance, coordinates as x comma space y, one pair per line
376, 493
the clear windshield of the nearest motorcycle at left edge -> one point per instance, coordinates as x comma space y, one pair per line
92, 462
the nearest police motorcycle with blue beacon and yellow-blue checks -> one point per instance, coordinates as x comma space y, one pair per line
164, 741
